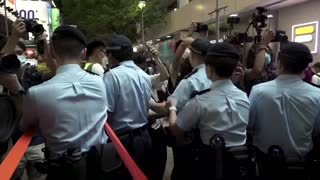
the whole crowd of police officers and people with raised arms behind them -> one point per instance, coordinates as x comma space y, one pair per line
206, 105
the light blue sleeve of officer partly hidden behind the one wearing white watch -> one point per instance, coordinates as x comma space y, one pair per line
182, 94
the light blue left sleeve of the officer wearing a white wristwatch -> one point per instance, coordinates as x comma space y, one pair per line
189, 116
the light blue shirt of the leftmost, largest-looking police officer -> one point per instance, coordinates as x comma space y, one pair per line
70, 109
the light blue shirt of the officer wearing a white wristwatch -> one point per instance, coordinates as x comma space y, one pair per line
224, 110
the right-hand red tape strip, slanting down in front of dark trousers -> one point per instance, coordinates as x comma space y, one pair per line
134, 170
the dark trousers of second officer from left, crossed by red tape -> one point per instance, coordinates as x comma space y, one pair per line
139, 145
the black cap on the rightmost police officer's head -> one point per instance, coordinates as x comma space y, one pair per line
296, 52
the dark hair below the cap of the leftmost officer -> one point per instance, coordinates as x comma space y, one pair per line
67, 47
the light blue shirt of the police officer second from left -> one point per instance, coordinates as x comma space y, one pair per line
128, 94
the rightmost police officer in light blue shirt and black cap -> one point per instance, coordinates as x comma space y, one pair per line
285, 112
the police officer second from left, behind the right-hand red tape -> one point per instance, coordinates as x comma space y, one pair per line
128, 94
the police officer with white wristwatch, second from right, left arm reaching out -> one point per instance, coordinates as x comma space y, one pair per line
223, 109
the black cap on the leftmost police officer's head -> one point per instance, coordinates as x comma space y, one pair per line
70, 31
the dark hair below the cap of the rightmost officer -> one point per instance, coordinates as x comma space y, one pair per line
293, 65
